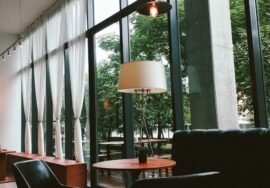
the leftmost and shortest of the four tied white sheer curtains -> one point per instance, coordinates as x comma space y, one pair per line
27, 90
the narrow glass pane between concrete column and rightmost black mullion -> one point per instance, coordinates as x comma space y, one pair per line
241, 61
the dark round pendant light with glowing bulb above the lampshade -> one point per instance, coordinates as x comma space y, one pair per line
154, 8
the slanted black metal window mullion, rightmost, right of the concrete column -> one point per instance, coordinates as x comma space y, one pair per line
256, 64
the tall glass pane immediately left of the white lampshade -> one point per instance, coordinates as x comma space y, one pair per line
110, 117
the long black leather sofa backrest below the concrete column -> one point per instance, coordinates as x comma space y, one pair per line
242, 155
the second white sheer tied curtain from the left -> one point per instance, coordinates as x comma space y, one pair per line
40, 81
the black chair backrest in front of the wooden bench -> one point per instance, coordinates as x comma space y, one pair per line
34, 174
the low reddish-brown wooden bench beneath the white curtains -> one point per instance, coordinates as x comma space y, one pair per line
68, 172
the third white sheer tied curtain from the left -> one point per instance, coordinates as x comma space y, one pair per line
55, 36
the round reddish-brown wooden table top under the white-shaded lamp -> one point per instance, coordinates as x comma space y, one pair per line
133, 164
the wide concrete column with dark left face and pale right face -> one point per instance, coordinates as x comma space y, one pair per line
210, 64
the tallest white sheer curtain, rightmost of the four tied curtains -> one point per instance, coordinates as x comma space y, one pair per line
76, 26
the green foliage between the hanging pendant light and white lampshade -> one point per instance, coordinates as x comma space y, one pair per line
149, 37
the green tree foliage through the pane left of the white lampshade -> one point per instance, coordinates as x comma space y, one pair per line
109, 99
